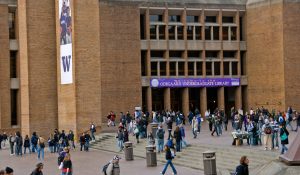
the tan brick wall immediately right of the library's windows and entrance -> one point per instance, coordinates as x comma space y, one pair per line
265, 63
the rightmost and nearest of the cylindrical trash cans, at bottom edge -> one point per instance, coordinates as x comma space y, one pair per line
209, 162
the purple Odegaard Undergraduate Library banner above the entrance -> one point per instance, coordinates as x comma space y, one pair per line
193, 82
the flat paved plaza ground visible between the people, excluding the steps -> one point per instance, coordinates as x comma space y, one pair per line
90, 163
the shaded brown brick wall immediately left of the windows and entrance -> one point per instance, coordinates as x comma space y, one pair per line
120, 58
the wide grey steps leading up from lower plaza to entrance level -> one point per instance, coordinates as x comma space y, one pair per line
227, 158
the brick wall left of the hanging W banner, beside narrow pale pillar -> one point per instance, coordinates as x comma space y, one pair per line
42, 65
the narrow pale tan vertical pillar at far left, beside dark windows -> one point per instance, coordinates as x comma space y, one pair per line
23, 57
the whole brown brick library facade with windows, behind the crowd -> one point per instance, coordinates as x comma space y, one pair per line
120, 46
